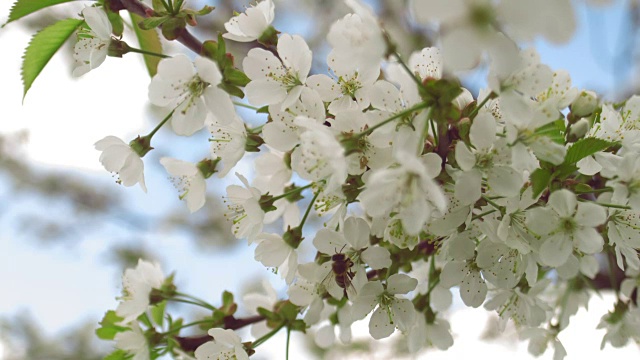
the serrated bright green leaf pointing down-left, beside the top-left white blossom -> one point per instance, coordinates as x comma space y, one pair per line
42, 46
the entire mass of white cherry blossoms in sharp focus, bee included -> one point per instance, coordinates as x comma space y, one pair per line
516, 196
